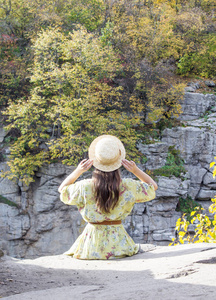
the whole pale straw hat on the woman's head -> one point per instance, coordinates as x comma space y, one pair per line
107, 152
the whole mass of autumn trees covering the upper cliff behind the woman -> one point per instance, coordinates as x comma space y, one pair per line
70, 70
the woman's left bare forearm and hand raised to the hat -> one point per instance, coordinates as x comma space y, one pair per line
83, 166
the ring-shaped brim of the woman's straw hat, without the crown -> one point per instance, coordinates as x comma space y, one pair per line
105, 167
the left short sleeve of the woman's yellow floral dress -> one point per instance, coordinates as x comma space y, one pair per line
72, 194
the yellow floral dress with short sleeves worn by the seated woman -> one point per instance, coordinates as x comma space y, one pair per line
105, 241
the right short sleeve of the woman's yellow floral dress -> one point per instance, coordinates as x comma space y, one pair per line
143, 192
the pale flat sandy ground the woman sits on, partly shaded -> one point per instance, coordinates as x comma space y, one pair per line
180, 272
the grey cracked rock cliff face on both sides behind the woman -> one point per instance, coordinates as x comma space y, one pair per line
40, 224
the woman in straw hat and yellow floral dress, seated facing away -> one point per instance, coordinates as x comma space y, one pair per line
105, 200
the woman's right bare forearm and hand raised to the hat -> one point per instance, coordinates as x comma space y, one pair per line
132, 167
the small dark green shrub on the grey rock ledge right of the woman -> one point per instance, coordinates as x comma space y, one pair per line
174, 165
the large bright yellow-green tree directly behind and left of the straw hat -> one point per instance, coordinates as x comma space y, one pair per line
73, 100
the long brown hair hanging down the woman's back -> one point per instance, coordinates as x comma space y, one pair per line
106, 185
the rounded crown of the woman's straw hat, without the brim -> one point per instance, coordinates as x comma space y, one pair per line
106, 151
